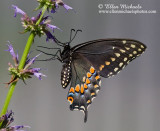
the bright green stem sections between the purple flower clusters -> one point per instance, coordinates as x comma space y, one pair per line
21, 65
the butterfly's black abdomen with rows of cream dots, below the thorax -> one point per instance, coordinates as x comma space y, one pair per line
66, 75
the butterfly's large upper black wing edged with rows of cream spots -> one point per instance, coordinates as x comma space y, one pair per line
109, 56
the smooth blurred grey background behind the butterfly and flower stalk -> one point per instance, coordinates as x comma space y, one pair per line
129, 101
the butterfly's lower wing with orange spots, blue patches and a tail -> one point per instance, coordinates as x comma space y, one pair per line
85, 84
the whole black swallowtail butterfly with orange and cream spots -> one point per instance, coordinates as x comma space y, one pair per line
86, 63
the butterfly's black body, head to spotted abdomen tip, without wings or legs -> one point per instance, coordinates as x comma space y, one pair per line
66, 69
